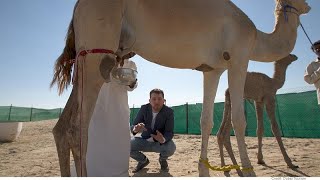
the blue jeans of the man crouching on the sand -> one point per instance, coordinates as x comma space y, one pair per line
138, 144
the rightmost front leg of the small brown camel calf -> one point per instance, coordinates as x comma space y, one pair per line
270, 107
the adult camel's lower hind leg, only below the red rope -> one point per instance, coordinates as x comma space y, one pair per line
89, 82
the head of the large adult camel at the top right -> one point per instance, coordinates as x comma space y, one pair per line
295, 6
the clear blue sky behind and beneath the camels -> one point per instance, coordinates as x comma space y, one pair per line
32, 36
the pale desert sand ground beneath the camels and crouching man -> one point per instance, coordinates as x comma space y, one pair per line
34, 154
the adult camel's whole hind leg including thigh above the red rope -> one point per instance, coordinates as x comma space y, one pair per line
93, 29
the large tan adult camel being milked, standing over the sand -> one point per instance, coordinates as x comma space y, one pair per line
207, 33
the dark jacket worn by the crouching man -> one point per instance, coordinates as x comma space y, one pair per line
164, 122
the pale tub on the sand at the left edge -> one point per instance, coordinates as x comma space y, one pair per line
10, 131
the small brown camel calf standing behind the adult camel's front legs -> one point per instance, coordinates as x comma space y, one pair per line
262, 90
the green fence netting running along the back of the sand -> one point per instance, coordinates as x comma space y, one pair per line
297, 115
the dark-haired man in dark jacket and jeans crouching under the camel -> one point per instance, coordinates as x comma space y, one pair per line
155, 121
